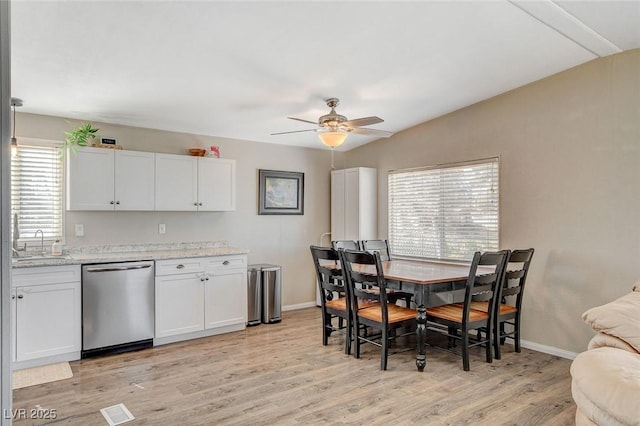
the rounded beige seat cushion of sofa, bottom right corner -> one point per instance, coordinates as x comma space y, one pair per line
606, 386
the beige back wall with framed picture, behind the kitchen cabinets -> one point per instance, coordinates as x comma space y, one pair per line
283, 240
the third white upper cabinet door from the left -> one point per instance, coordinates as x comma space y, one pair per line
176, 182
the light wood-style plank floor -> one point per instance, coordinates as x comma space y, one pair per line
280, 374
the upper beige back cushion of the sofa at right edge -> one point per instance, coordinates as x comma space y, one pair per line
620, 318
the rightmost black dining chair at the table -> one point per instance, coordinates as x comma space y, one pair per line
509, 310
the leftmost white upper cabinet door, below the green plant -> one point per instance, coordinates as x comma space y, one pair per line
90, 179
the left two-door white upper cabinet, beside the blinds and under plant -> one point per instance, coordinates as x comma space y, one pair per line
106, 179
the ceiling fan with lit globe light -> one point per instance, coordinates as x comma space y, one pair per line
333, 128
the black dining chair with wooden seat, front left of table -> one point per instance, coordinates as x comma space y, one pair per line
371, 309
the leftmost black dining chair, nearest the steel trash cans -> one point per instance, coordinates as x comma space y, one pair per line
330, 283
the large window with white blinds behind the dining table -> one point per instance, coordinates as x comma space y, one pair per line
444, 212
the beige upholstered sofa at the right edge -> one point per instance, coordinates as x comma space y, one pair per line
606, 378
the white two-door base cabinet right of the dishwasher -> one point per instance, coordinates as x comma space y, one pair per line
200, 297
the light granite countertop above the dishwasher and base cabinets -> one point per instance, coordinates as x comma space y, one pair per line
125, 253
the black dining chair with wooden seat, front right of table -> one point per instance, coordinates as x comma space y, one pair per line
457, 320
